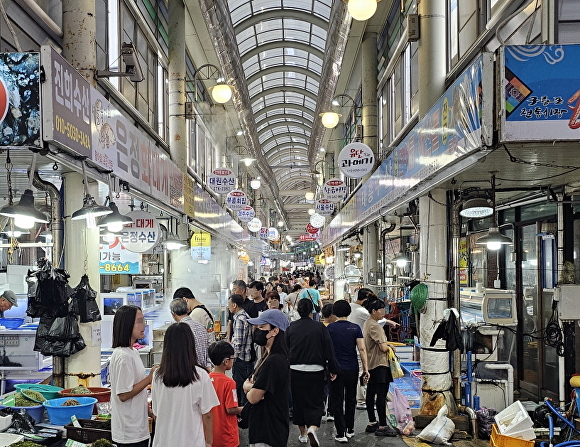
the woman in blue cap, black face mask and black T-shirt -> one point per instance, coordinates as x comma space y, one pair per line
267, 389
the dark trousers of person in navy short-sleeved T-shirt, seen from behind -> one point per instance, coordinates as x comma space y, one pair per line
343, 393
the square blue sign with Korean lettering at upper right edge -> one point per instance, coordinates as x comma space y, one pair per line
541, 92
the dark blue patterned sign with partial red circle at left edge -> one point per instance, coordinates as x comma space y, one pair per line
20, 119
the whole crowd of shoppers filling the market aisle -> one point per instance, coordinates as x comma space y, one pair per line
283, 360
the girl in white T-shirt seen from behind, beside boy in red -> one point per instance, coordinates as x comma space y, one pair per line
182, 394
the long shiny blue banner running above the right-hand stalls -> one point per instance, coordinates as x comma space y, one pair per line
458, 124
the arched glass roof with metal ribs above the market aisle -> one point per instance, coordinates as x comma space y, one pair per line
281, 44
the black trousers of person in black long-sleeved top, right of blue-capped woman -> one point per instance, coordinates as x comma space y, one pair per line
307, 397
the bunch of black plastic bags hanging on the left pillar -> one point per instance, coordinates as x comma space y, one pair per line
58, 306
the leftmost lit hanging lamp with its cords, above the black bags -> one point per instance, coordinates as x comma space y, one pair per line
24, 213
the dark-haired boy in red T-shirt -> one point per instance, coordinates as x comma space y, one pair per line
225, 421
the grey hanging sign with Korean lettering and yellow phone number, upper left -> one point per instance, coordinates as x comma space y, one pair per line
66, 104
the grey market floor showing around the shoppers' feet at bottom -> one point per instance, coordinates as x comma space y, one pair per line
326, 437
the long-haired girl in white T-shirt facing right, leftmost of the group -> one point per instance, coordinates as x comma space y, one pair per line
129, 423
